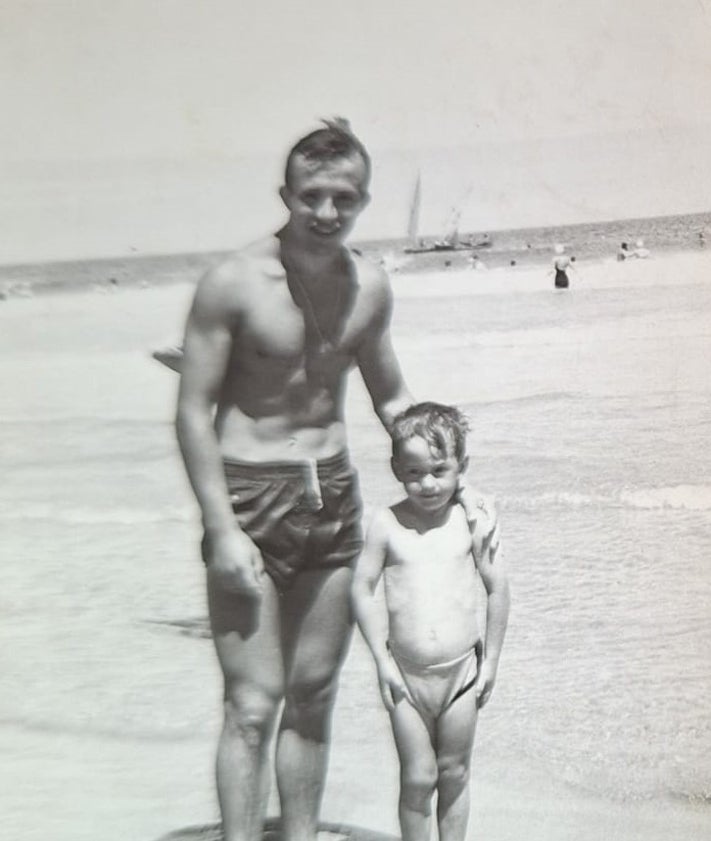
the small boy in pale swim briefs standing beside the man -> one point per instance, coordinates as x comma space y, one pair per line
434, 669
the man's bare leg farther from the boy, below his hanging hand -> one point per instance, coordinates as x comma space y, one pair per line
247, 642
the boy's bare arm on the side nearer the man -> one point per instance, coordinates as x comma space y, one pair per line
368, 571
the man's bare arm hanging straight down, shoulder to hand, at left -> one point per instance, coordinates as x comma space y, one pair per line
207, 350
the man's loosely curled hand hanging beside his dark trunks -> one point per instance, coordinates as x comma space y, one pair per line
235, 563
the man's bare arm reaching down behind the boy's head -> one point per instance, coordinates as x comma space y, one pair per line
379, 365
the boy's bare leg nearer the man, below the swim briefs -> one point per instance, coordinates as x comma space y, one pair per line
418, 772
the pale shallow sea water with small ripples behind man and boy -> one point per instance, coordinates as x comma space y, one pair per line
591, 424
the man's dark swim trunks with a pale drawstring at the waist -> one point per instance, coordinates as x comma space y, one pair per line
300, 514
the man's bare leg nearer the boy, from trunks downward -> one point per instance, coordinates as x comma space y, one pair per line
316, 628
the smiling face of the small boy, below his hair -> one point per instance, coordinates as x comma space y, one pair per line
430, 477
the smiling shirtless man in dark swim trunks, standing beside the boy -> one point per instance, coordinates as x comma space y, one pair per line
270, 337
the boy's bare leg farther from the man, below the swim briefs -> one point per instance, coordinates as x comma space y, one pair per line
455, 739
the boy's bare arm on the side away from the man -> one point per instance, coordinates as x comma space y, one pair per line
490, 564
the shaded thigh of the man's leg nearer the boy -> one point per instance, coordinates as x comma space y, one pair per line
316, 627
